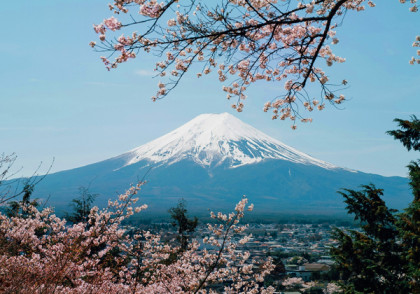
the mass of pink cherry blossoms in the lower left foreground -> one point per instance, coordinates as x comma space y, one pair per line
42, 253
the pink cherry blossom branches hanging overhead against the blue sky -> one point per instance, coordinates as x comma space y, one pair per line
281, 41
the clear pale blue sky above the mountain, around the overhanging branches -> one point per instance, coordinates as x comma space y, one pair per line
58, 101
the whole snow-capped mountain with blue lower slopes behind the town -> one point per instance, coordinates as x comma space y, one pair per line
211, 161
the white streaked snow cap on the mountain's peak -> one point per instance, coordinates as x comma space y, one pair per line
213, 139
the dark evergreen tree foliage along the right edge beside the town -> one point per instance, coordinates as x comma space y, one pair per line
384, 255
